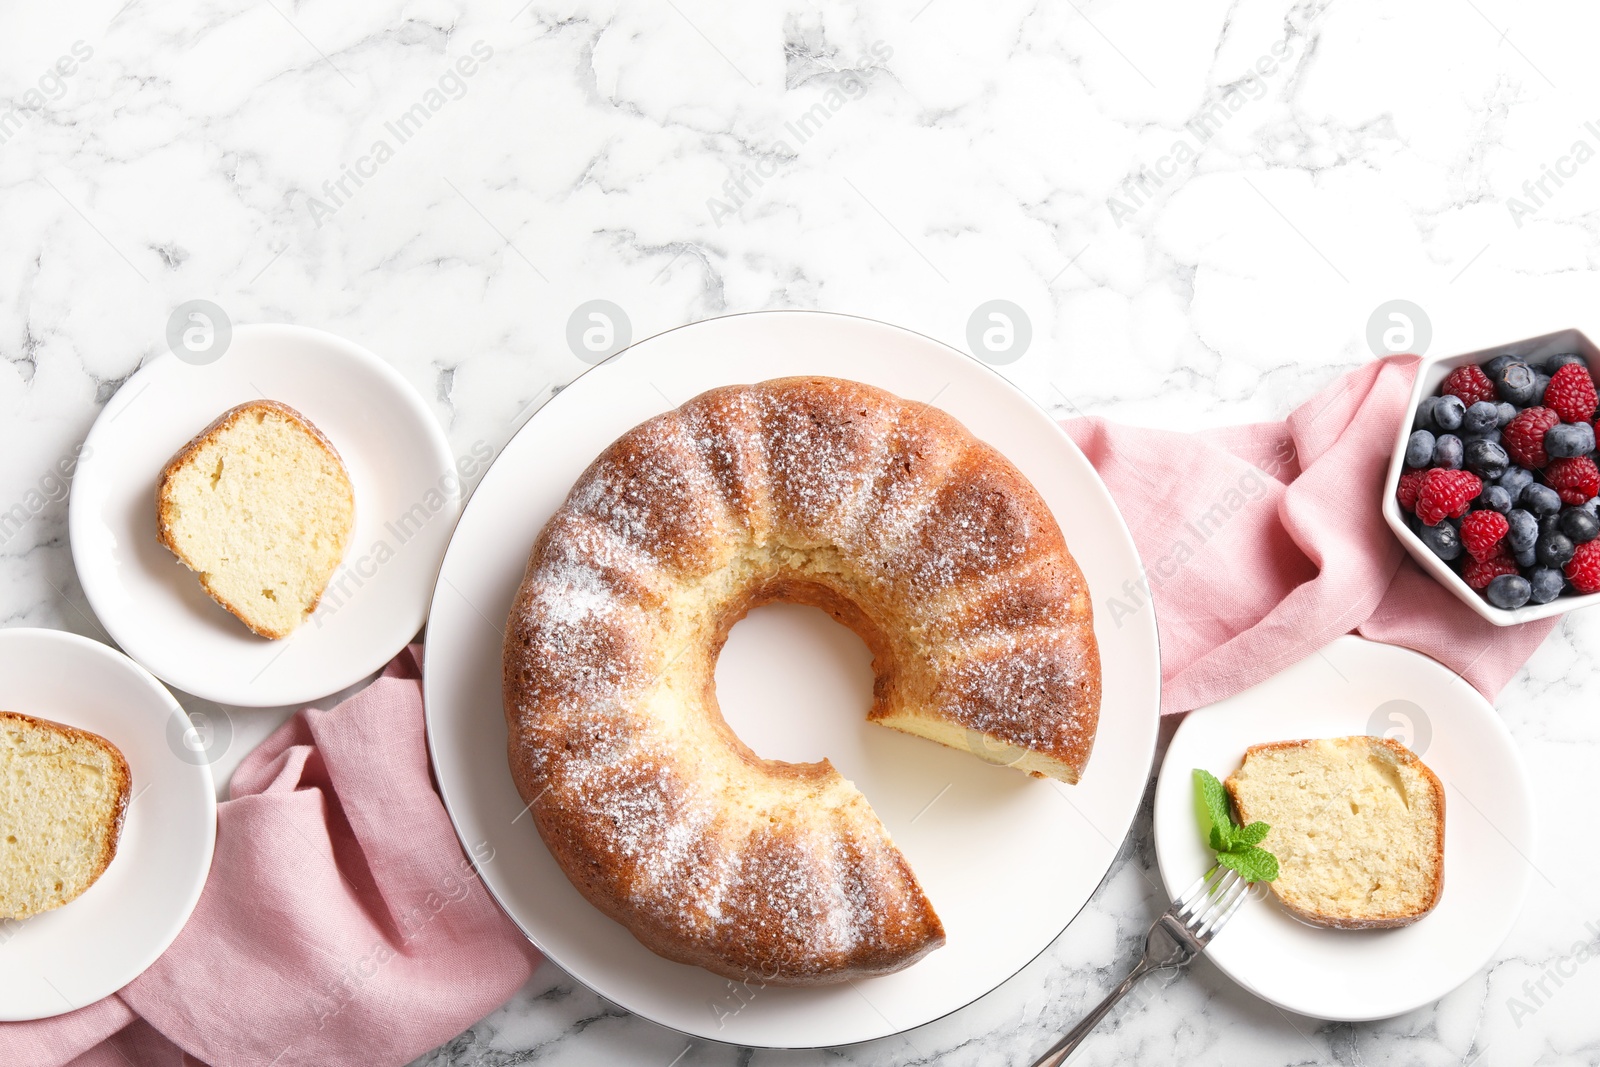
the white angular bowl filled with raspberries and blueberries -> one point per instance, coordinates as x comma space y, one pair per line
1494, 487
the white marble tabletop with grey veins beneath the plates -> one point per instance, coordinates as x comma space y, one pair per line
1198, 206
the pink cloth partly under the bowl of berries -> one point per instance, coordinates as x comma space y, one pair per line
1263, 543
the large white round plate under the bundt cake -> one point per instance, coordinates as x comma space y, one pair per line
1006, 860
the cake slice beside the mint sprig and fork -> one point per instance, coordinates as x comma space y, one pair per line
1358, 826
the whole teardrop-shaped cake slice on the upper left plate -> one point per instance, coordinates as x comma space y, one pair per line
260, 506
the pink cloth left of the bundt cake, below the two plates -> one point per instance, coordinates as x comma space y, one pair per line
342, 922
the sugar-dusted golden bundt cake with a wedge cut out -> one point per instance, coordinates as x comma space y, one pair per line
884, 513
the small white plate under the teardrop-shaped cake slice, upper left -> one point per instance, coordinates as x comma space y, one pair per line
407, 500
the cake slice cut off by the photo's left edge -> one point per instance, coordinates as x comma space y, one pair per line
63, 794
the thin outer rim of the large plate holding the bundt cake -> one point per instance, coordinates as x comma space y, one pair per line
1154, 641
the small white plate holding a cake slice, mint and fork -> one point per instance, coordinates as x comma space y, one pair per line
1359, 687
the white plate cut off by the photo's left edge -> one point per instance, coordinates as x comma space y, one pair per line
89, 949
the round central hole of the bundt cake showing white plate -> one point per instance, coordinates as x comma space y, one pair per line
794, 685
